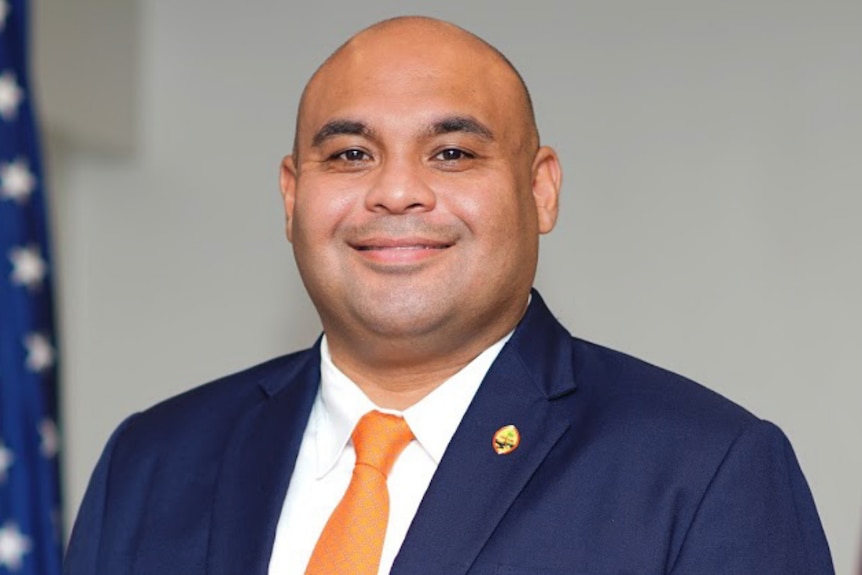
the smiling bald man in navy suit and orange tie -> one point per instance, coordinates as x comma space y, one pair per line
414, 196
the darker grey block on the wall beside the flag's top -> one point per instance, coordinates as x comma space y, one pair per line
86, 73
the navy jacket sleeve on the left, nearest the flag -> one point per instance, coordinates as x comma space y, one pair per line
82, 554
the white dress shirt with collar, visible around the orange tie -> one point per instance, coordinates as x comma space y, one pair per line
326, 458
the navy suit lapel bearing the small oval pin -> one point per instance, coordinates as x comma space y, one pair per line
529, 386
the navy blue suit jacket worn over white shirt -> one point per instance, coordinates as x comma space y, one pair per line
623, 468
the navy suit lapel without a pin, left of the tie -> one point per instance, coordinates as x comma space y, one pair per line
256, 469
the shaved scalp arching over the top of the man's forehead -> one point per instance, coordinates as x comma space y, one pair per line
407, 40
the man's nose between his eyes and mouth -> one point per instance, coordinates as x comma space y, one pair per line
399, 188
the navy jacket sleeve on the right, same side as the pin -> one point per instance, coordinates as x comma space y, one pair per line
757, 515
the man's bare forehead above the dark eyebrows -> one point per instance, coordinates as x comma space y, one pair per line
405, 80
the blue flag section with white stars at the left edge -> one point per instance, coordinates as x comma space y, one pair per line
30, 542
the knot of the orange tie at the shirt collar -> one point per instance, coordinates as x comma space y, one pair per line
379, 438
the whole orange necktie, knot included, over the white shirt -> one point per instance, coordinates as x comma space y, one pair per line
352, 540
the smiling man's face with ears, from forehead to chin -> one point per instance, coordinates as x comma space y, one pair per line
411, 201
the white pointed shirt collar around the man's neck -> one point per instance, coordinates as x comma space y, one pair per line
433, 420
